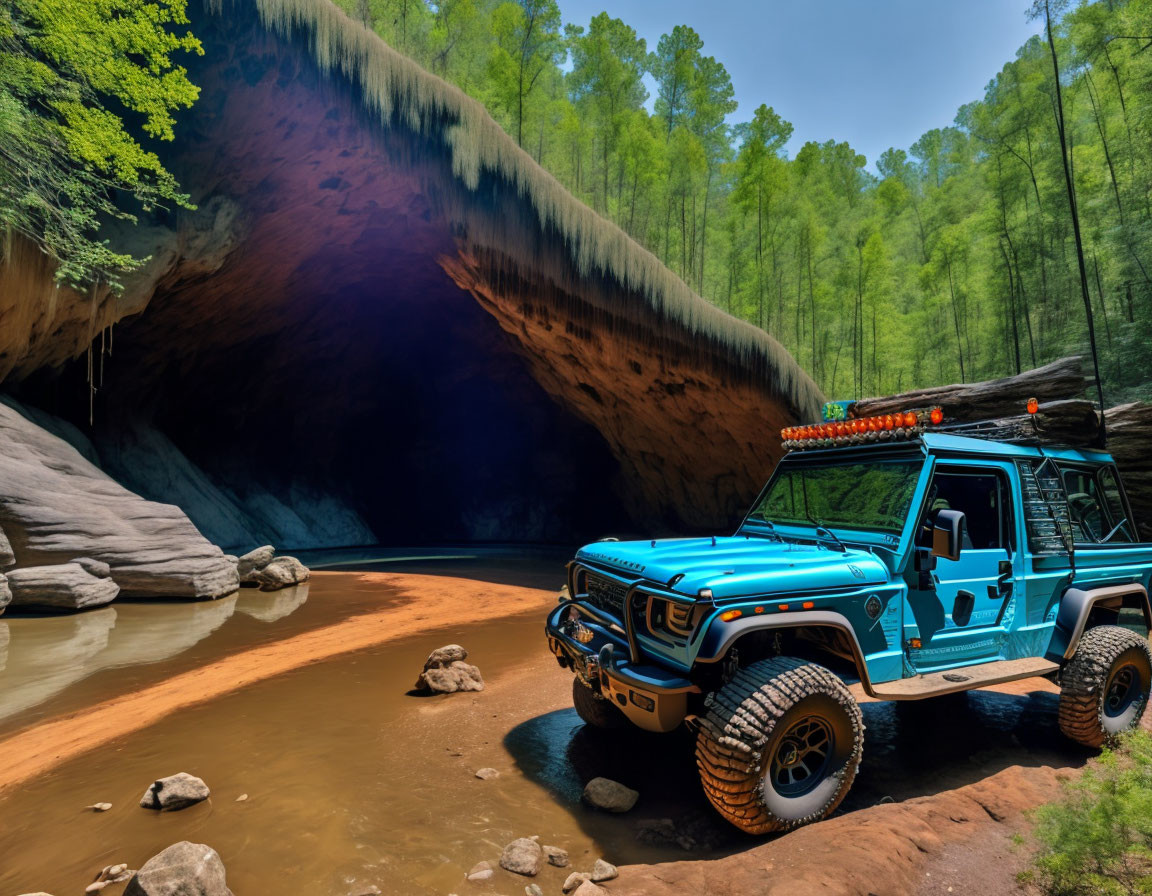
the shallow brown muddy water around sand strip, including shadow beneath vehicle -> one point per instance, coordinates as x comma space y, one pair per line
352, 783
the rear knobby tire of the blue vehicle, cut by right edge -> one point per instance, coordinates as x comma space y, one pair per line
1104, 689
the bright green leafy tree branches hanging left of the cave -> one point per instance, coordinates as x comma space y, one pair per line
81, 83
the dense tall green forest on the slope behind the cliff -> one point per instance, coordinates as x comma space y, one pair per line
956, 261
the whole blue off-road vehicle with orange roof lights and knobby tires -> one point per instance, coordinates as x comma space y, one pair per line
896, 555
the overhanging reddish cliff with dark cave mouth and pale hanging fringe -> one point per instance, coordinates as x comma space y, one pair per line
385, 323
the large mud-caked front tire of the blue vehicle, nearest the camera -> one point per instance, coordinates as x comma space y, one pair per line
780, 746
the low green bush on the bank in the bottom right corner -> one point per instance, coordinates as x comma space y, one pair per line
1097, 841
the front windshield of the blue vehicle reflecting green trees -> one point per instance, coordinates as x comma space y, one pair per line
873, 497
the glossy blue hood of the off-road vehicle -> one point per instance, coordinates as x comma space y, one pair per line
739, 566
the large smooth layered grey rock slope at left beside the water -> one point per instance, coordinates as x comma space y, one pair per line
77, 536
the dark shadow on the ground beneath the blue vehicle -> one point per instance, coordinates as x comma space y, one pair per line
911, 750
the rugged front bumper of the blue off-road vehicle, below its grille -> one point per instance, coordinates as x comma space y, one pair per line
650, 696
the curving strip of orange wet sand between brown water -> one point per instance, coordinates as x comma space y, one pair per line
429, 603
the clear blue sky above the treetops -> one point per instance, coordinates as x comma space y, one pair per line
877, 74
